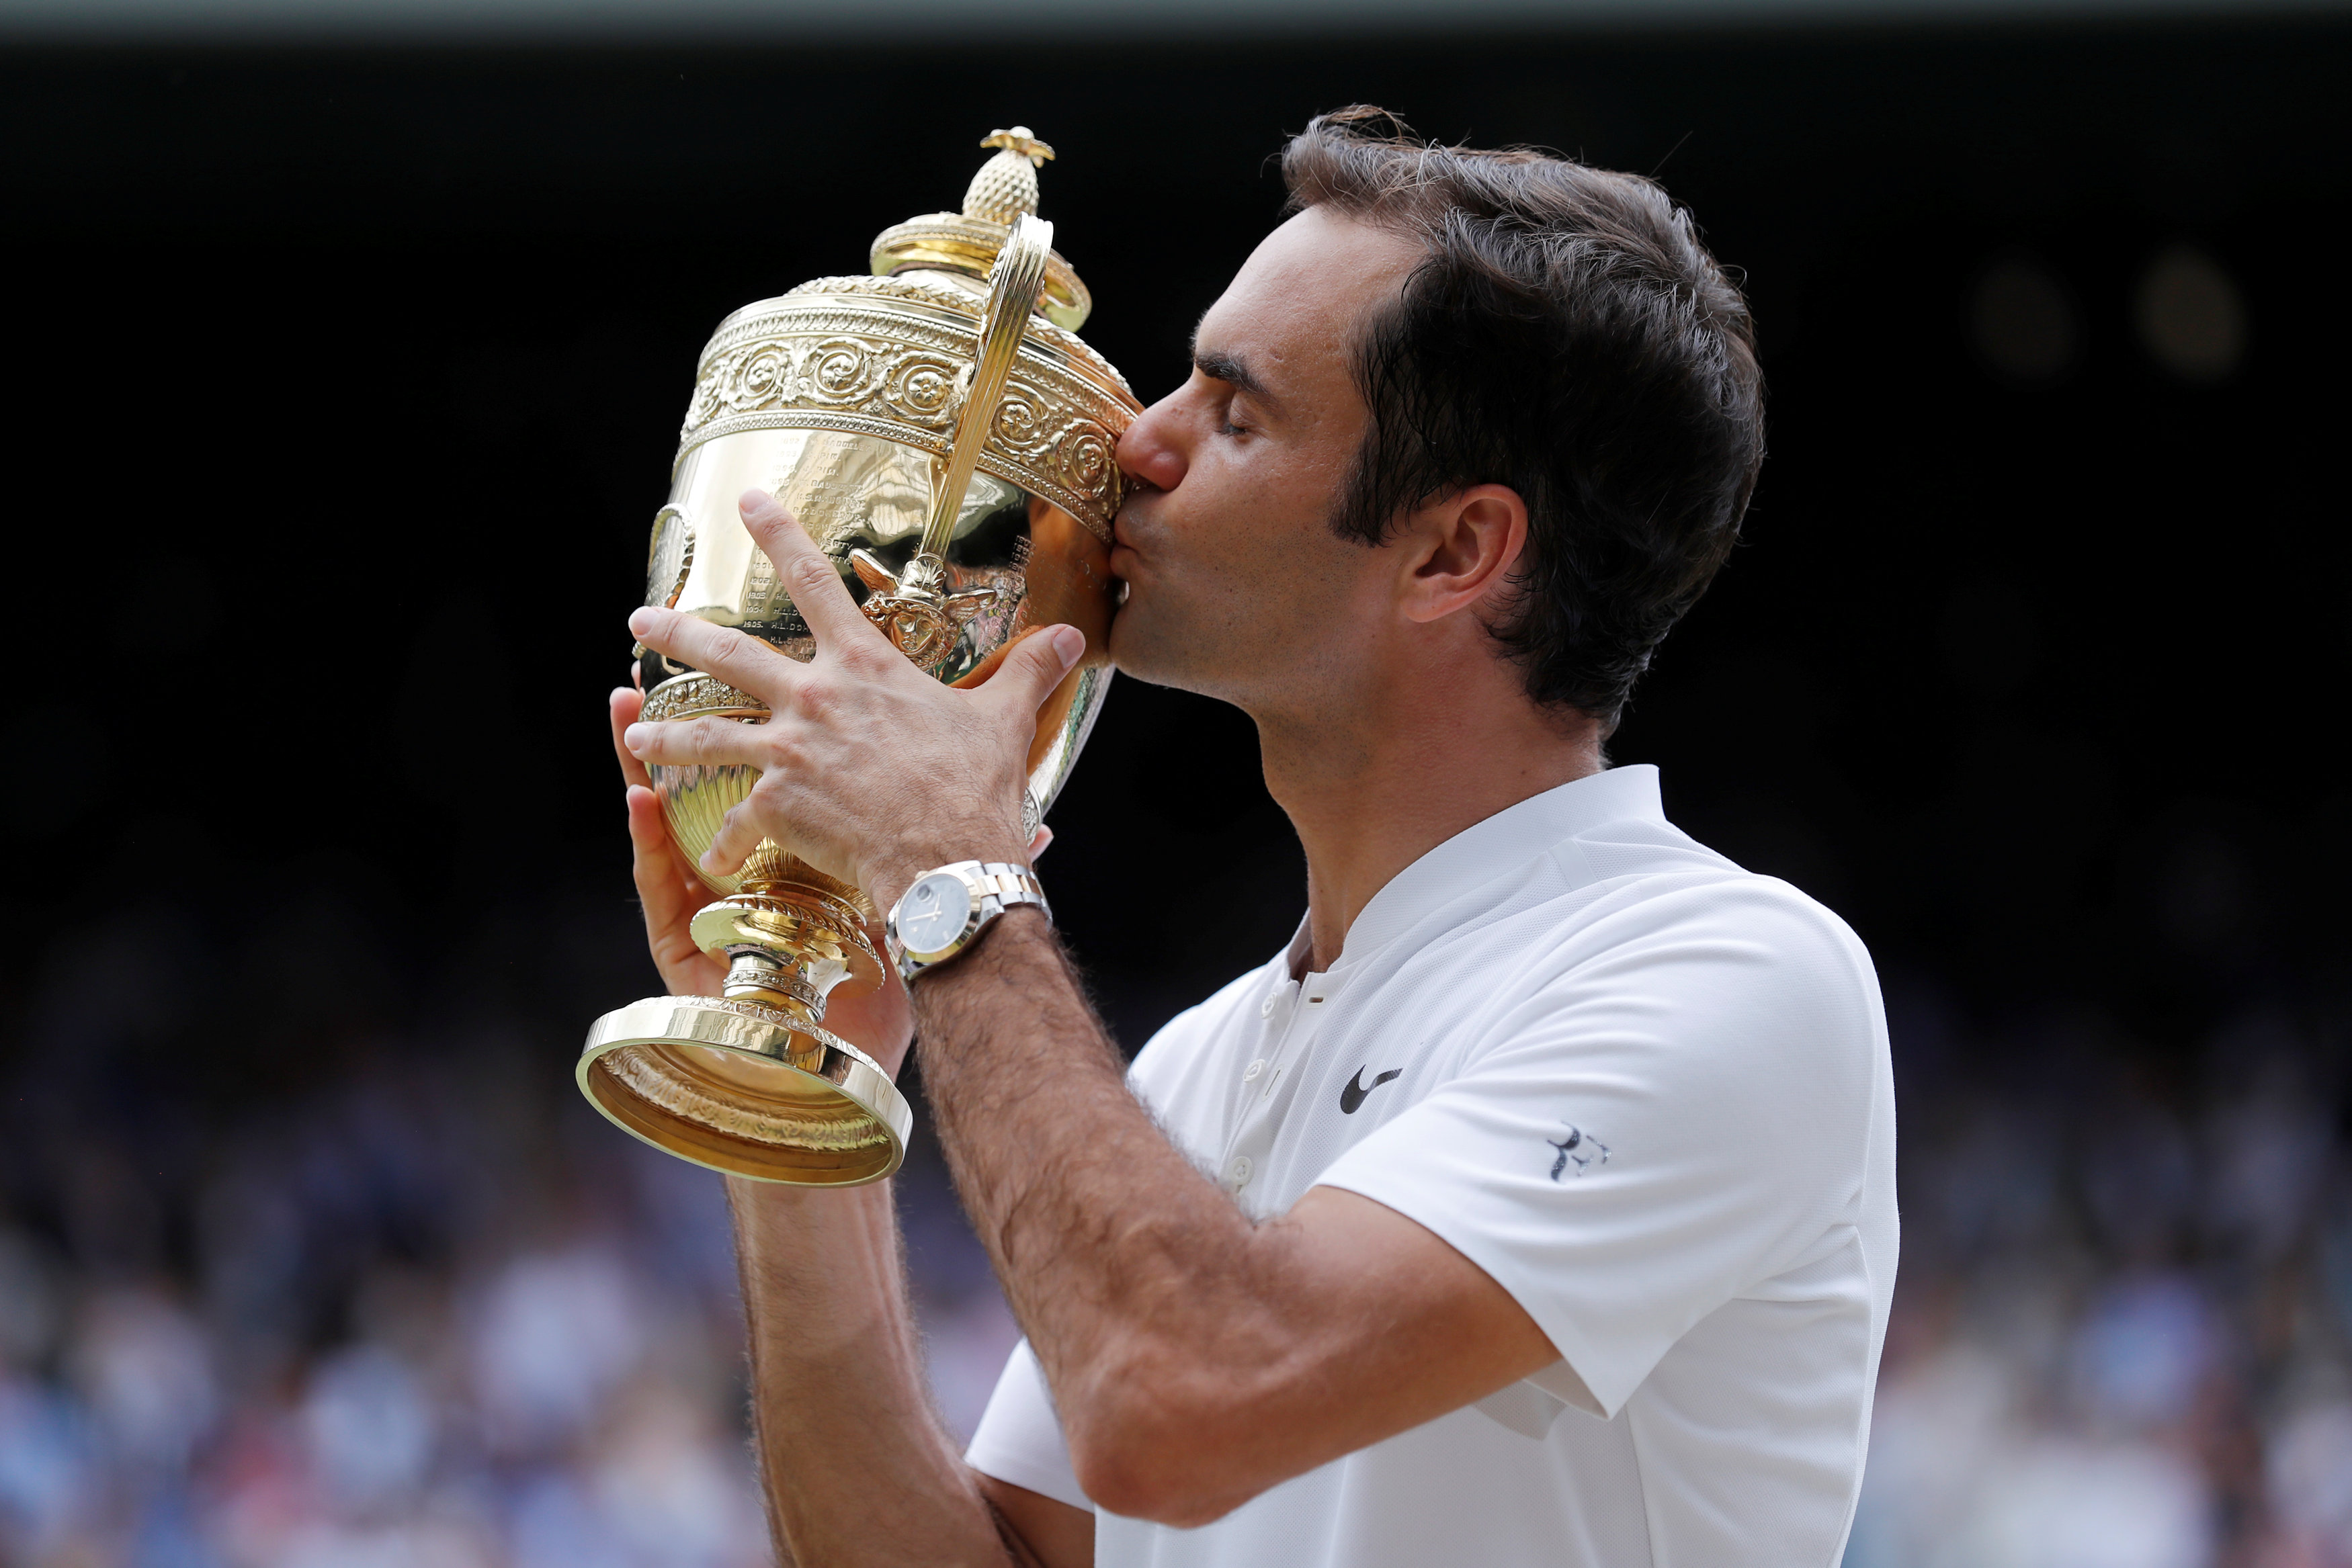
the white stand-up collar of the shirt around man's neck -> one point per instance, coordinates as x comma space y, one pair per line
1502, 845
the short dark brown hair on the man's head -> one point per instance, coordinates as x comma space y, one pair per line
1572, 340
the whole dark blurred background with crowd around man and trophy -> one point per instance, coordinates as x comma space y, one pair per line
345, 380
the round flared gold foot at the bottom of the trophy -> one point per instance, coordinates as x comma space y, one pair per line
747, 1090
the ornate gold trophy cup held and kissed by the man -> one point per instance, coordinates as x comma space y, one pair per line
947, 438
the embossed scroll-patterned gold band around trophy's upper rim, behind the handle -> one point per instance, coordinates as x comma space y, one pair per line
883, 356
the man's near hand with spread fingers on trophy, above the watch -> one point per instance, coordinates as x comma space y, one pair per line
869, 770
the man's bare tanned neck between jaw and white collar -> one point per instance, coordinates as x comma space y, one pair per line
1417, 768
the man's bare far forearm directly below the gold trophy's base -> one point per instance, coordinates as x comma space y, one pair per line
853, 1461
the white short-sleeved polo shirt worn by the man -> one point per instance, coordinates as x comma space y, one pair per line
1643, 1090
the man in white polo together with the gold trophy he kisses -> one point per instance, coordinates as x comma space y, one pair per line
1535, 1202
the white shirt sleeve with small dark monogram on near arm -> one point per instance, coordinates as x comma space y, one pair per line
1671, 1120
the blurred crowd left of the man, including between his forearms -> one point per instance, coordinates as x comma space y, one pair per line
417, 1320
